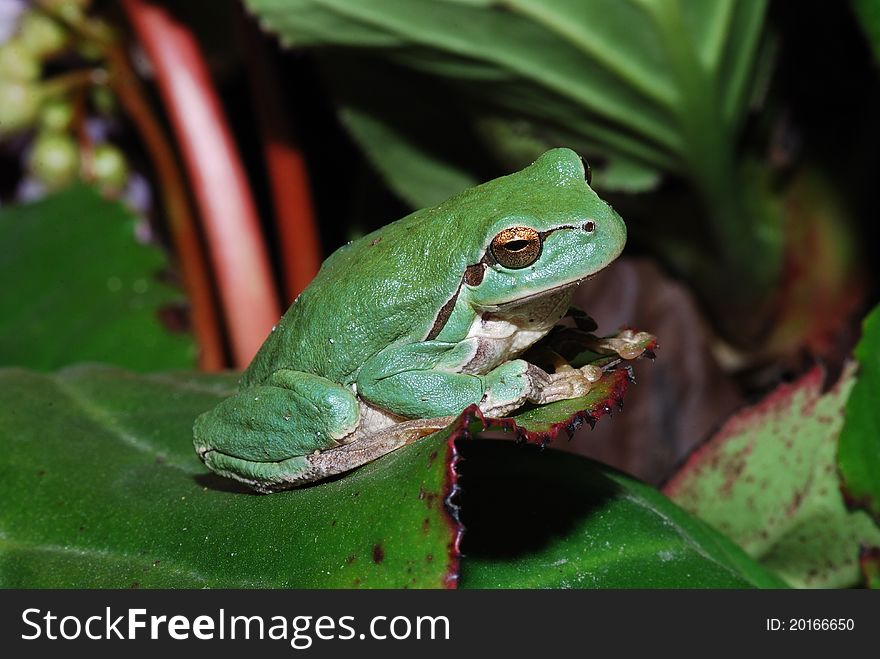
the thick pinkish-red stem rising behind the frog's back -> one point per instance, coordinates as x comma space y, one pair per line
220, 187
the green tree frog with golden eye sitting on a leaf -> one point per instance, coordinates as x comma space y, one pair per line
414, 322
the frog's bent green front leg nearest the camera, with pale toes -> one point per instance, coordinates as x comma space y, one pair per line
422, 380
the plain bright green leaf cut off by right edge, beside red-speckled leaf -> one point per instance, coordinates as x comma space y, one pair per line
859, 450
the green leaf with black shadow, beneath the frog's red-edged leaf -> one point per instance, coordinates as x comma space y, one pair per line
549, 519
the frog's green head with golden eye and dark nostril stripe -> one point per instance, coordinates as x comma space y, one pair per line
543, 229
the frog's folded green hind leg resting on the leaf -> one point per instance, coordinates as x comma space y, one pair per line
265, 435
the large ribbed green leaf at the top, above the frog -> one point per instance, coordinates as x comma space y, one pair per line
655, 82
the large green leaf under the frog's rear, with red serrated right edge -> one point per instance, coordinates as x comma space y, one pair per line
101, 487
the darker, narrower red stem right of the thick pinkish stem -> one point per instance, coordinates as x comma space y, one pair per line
297, 231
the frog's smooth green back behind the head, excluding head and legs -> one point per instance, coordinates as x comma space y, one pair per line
369, 294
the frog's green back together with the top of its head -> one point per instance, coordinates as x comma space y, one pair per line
388, 287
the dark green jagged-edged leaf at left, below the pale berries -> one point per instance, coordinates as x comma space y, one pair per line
79, 287
